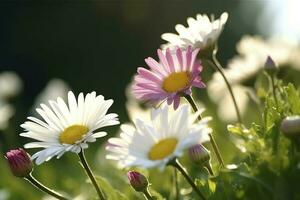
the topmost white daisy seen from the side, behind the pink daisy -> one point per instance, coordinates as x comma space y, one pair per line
200, 33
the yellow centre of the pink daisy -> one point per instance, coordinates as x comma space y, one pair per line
176, 81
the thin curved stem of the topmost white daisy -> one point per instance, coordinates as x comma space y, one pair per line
216, 64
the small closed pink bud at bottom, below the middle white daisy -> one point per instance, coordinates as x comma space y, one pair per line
138, 181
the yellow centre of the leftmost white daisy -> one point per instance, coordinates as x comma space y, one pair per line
72, 134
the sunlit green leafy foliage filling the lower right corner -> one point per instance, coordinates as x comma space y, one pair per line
270, 158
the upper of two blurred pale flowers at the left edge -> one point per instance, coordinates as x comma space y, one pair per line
10, 84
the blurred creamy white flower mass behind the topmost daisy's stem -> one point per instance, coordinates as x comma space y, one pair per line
253, 52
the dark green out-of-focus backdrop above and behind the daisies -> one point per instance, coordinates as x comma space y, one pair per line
97, 45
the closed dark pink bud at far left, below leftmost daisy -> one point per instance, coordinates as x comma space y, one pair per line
19, 162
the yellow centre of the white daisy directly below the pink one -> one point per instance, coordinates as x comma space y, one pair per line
162, 149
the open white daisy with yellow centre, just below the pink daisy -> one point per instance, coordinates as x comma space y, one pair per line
155, 142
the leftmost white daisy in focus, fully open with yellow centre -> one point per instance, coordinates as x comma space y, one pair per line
68, 127
